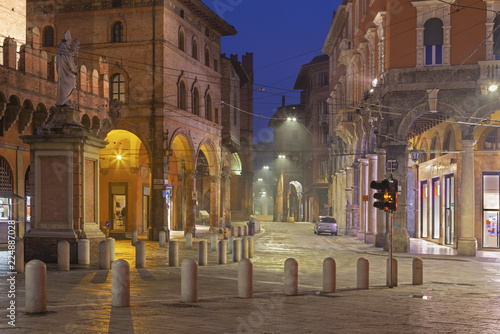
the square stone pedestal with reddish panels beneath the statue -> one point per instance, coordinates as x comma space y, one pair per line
65, 183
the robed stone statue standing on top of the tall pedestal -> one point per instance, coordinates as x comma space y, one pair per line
67, 70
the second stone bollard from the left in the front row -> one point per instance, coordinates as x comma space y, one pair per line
120, 283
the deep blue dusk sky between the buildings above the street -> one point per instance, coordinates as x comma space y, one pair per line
283, 35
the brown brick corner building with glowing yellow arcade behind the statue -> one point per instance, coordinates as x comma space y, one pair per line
170, 155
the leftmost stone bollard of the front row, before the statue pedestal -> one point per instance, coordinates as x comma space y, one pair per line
36, 287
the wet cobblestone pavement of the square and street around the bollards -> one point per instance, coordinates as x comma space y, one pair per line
459, 295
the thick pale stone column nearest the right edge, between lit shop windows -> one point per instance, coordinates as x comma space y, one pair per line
467, 244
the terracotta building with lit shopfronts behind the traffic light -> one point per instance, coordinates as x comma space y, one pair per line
416, 77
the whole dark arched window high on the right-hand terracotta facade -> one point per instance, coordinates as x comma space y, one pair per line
433, 41
